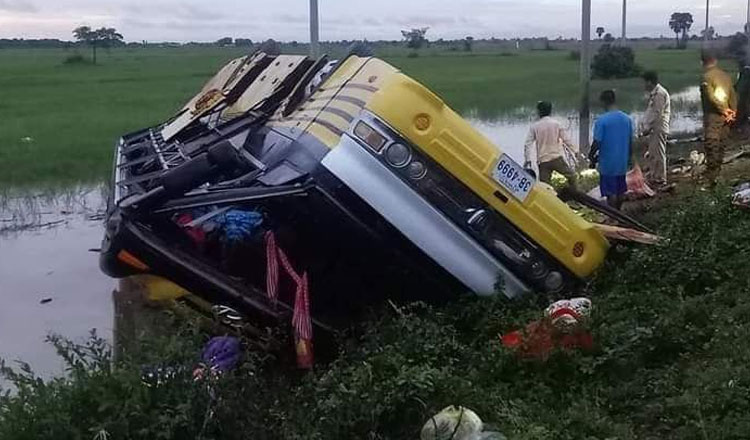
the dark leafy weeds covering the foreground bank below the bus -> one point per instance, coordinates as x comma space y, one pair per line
670, 326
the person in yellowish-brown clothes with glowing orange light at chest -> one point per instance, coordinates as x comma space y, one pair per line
719, 101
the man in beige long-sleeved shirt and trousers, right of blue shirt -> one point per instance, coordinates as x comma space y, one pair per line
655, 127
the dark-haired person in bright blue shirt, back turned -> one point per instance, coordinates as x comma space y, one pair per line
612, 147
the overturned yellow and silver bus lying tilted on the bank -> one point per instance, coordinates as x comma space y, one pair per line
348, 174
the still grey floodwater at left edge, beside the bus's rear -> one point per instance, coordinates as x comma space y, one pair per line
49, 280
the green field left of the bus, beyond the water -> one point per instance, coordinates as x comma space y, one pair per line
60, 122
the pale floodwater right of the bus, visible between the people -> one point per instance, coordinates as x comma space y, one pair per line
509, 132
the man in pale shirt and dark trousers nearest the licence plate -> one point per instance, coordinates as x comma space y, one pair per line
545, 147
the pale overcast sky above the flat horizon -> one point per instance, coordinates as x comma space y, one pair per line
208, 20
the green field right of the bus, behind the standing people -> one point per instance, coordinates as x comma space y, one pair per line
492, 84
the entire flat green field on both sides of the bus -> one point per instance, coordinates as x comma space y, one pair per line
58, 121
